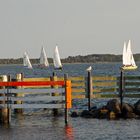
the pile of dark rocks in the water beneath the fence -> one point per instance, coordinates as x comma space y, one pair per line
112, 110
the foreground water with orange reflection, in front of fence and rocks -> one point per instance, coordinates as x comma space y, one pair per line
41, 126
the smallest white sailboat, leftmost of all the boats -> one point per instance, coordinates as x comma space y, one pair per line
26, 61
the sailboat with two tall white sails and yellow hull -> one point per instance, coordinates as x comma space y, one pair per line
128, 59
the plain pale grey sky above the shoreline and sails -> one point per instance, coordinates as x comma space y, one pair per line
77, 27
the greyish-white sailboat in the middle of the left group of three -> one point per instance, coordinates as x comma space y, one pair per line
43, 59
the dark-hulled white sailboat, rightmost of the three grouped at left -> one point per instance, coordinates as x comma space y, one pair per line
56, 59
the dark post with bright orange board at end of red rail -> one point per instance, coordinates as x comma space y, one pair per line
68, 98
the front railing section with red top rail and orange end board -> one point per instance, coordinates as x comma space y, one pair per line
35, 94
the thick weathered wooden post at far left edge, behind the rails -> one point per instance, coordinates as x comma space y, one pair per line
4, 111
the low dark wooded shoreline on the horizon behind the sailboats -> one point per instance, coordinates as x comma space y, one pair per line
93, 58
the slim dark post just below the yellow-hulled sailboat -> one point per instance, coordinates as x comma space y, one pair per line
121, 88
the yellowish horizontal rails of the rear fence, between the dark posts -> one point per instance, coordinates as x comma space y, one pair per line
100, 85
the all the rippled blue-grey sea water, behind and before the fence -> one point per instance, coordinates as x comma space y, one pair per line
40, 125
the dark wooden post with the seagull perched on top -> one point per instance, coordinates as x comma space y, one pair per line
89, 89
